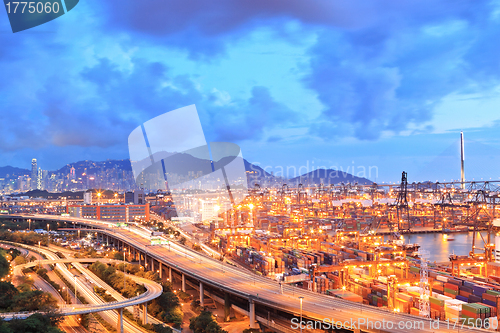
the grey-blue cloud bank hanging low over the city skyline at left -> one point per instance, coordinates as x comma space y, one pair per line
102, 104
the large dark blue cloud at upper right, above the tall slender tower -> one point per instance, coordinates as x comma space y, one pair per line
390, 75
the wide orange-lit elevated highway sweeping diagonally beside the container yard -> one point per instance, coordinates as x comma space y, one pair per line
255, 289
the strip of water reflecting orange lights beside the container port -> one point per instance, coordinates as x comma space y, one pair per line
439, 249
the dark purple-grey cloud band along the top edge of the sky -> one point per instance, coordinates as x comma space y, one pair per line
205, 28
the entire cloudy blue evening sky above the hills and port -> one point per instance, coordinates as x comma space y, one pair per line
371, 87
